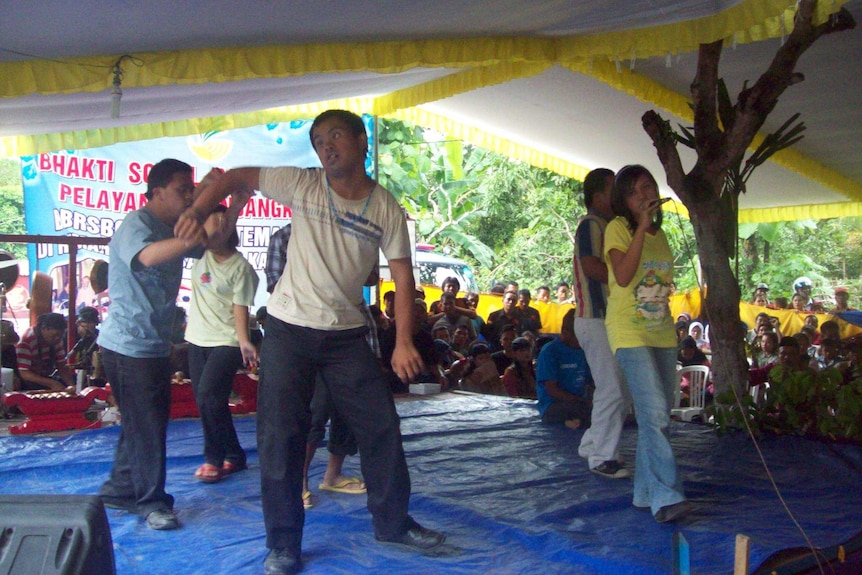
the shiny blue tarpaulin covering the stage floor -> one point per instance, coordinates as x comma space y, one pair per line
512, 495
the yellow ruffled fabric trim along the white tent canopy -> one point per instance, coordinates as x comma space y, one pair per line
474, 63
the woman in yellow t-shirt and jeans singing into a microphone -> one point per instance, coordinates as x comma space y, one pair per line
641, 334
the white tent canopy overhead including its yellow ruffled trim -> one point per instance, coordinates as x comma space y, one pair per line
557, 83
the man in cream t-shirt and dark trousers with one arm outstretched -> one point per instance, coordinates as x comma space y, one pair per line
315, 325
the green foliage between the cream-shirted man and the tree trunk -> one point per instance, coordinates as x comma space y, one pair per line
509, 220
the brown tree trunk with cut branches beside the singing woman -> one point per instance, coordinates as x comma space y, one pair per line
717, 150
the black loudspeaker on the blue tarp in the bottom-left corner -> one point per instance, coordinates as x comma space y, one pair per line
55, 534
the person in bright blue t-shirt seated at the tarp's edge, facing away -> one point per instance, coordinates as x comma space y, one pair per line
563, 378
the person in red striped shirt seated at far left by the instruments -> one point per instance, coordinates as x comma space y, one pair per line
41, 357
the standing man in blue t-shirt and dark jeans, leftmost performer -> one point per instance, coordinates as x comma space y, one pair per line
145, 275
